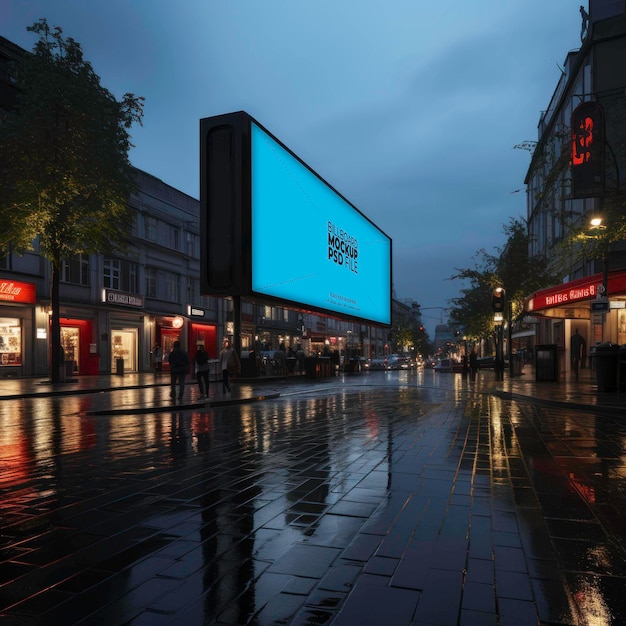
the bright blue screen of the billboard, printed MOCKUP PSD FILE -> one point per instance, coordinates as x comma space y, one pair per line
309, 245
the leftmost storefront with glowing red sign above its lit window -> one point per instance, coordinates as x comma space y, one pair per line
17, 303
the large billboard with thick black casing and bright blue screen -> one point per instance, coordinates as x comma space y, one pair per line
276, 230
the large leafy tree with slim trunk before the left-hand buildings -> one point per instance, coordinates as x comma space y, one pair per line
64, 158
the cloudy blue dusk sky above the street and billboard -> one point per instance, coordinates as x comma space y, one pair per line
410, 109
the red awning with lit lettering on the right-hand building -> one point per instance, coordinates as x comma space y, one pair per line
574, 293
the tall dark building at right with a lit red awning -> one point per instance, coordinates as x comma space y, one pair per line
594, 73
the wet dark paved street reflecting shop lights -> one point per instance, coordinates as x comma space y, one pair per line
383, 498
